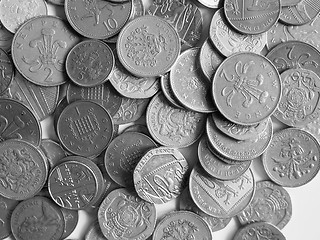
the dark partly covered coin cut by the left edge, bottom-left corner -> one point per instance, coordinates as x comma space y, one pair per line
6, 207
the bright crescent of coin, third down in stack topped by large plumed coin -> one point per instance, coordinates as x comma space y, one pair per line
238, 150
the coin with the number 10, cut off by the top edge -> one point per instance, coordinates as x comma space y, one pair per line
97, 19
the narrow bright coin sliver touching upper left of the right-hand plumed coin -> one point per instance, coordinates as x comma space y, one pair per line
209, 59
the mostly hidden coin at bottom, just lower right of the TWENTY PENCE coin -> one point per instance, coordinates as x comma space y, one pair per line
186, 203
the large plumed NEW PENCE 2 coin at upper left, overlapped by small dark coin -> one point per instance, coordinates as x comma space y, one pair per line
40, 47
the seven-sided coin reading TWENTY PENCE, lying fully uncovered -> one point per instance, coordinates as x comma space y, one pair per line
160, 175
